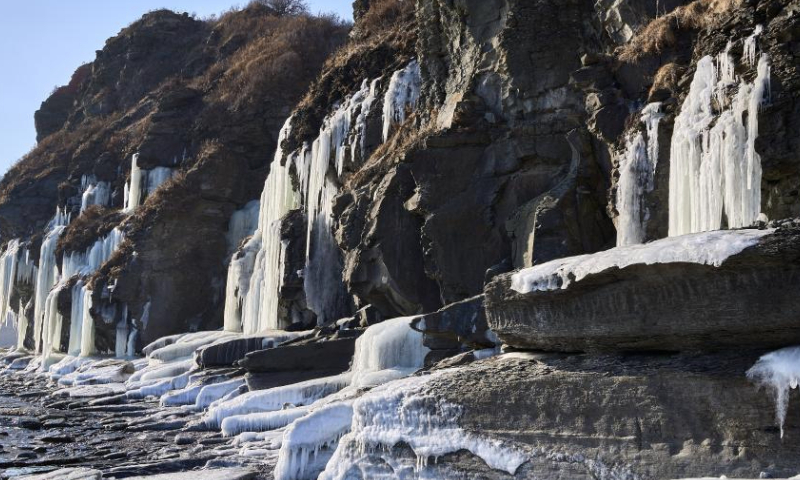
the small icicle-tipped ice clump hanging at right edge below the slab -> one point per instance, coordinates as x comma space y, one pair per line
778, 371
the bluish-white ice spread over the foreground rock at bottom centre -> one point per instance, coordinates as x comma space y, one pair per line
405, 411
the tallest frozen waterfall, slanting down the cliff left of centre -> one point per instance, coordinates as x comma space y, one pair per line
255, 273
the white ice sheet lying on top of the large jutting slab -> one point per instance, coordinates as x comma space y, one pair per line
707, 248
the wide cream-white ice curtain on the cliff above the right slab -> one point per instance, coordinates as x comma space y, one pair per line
715, 171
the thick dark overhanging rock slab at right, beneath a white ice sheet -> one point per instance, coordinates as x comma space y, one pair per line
749, 301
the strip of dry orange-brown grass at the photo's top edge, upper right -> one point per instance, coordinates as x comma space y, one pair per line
663, 32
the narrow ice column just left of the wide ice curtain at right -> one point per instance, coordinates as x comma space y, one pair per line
637, 174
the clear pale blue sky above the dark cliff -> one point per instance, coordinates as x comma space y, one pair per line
43, 41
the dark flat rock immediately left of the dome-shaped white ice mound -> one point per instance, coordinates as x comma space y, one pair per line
333, 355
